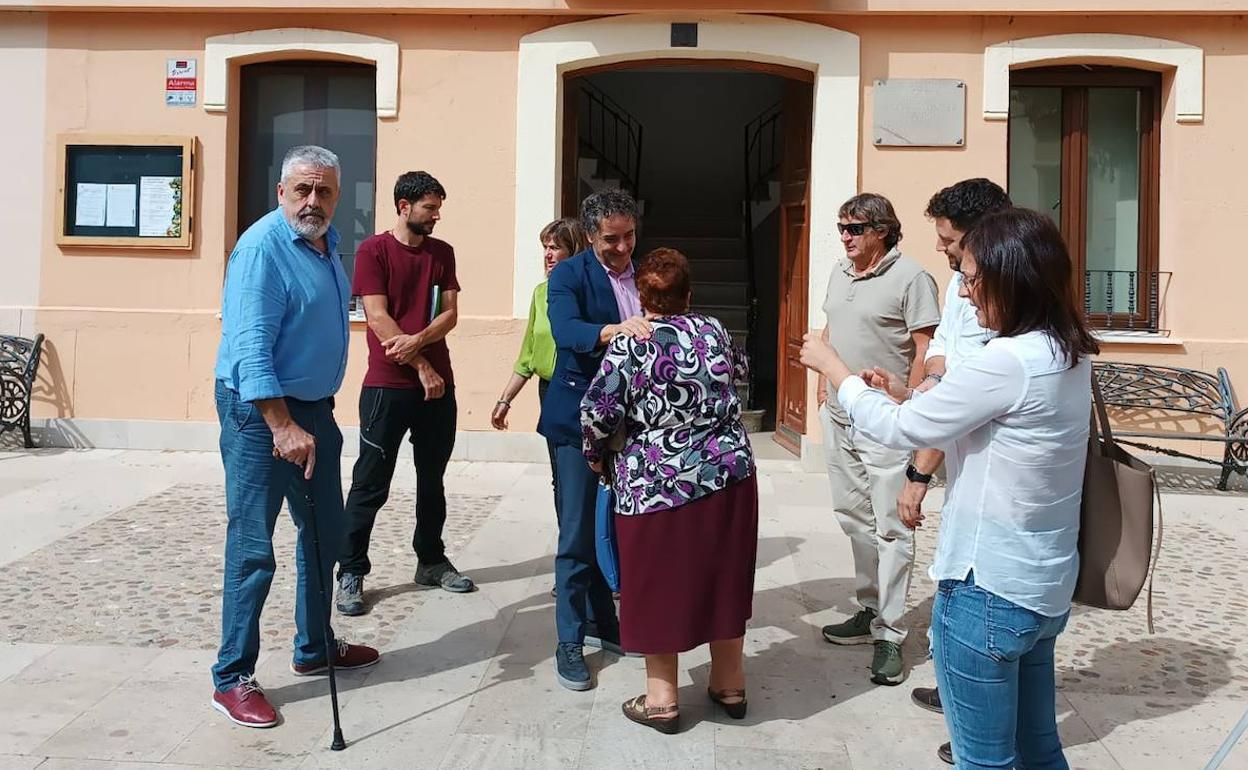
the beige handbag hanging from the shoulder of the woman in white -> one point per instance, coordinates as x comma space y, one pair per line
1116, 521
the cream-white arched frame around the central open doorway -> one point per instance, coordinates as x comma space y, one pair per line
831, 54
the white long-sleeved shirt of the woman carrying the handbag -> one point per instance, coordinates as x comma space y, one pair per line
1018, 417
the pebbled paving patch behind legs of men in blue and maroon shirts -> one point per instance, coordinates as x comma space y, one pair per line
175, 601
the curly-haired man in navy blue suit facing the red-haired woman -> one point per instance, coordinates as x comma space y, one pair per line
592, 298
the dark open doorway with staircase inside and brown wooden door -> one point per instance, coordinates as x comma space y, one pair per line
718, 155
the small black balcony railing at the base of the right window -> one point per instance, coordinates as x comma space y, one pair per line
1125, 300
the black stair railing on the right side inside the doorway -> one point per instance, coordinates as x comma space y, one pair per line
762, 160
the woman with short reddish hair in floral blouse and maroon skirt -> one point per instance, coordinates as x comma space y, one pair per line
687, 499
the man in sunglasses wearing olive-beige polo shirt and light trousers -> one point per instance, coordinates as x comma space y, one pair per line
882, 311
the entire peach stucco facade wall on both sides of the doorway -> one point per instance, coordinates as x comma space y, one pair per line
133, 335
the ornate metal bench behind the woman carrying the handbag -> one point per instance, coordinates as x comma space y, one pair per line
1154, 402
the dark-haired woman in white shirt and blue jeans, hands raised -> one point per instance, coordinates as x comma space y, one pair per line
1018, 416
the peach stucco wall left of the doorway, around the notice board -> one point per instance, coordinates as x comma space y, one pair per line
145, 346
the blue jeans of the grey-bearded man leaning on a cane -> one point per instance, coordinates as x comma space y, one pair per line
256, 482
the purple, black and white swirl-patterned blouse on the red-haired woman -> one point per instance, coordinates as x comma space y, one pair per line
676, 399
